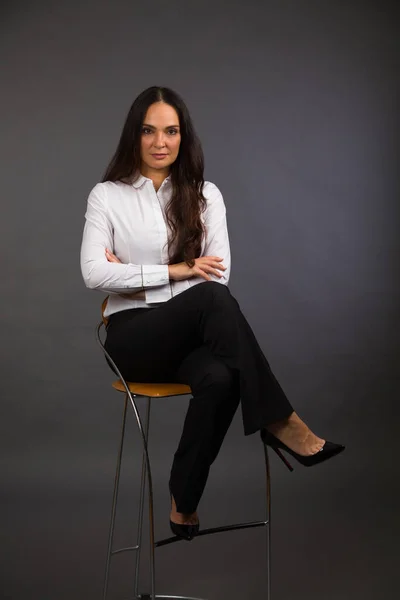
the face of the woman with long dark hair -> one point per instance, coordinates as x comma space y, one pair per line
161, 137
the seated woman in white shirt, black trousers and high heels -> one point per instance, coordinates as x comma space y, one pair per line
154, 230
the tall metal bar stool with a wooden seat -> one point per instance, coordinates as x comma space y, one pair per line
151, 391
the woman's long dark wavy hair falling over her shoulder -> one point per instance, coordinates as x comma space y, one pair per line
187, 172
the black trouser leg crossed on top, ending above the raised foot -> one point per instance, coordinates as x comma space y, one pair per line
152, 345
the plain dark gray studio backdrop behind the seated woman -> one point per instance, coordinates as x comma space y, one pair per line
296, 103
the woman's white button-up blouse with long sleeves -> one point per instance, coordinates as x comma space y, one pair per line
129, 220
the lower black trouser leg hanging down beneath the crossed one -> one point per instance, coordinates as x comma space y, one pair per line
215, 399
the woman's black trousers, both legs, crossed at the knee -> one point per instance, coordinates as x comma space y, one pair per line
199, 337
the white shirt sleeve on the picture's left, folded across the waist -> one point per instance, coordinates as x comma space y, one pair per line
98, 273
